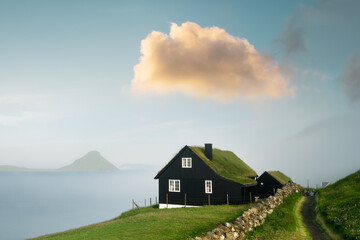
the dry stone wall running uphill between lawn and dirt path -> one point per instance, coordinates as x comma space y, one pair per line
250, 219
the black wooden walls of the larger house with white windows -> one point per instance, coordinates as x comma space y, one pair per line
192, 182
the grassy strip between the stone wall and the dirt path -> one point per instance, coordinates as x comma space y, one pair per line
284, 223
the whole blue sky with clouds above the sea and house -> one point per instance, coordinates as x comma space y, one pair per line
276, 82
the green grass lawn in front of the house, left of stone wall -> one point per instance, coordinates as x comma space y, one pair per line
153, 223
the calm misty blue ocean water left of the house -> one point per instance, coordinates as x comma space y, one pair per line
33, 204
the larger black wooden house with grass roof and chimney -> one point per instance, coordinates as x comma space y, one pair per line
202, 175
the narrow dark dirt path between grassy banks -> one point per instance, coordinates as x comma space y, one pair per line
309, 219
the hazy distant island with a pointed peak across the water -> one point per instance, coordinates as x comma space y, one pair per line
91, 162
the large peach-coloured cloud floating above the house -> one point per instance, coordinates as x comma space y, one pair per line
206, 63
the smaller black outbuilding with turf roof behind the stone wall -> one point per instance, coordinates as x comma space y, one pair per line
270, 181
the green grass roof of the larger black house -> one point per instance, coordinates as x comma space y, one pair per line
227, 165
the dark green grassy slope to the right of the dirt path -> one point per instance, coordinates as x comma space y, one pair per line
339, 204
